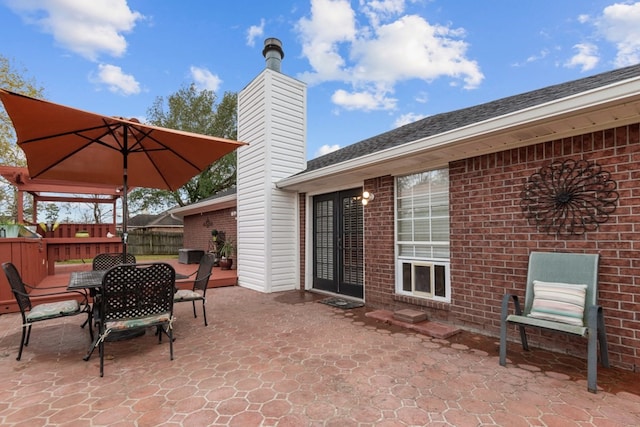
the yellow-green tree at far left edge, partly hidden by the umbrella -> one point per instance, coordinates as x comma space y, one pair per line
14, 80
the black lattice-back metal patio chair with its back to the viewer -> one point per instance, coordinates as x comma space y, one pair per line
136, 297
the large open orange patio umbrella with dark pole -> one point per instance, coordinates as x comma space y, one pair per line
64, 143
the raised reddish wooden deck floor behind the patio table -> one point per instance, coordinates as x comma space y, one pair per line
62, 272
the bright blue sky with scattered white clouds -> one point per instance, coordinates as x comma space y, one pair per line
369, 65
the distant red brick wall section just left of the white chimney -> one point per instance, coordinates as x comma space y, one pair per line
197, 228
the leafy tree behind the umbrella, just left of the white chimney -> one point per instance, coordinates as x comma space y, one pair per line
193, 110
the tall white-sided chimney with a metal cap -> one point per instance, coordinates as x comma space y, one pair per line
272, 119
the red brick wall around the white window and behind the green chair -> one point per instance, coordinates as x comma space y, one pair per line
491, 240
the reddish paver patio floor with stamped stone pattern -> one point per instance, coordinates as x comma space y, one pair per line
284, 360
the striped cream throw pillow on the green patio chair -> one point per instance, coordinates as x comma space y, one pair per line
558, 302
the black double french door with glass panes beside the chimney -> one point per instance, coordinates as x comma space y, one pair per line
338, 243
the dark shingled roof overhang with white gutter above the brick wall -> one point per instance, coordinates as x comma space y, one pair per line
519, 120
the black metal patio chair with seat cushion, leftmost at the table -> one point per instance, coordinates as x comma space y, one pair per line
75, 303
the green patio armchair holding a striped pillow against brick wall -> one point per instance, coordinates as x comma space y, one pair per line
561, 296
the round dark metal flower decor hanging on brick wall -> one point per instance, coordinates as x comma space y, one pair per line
569, 197
